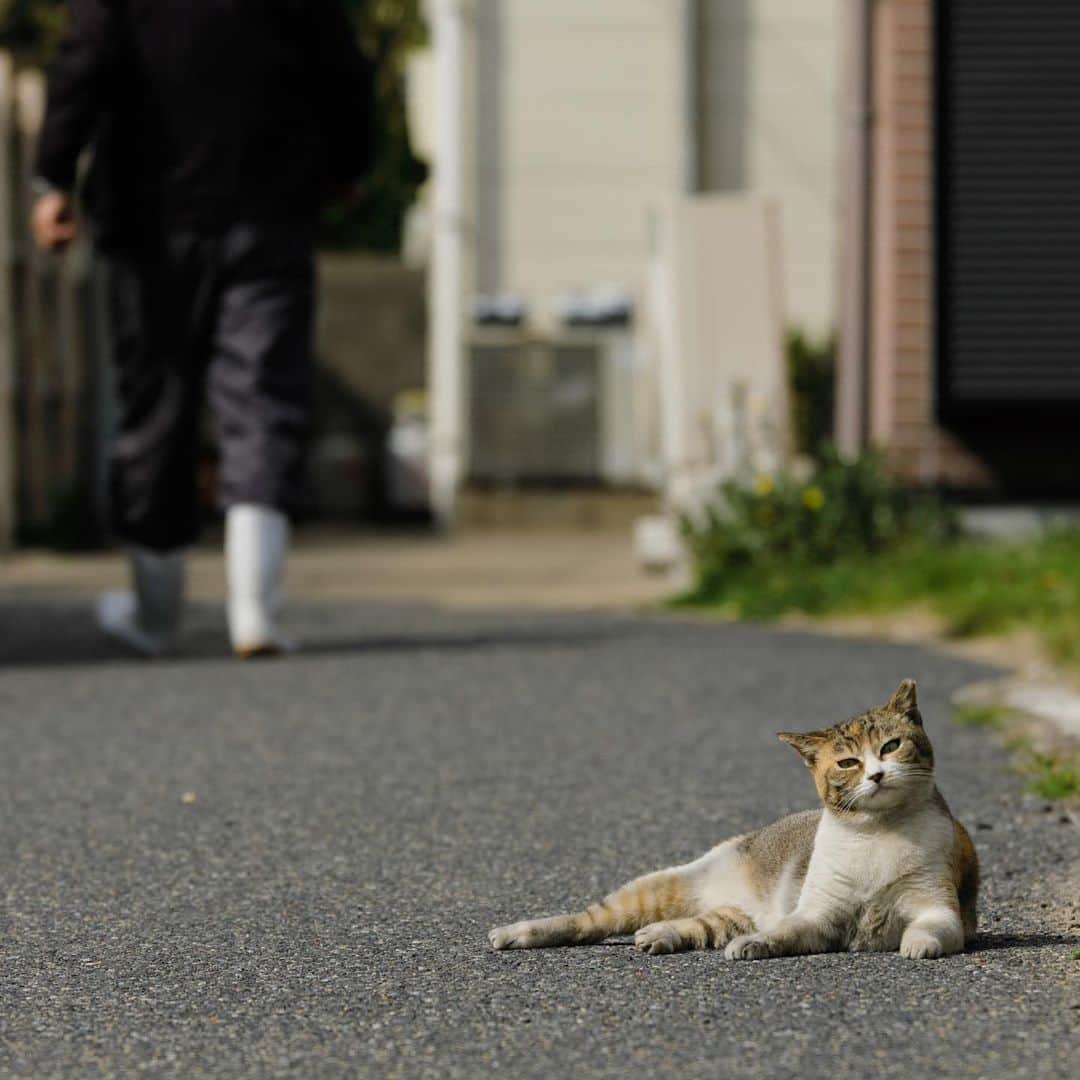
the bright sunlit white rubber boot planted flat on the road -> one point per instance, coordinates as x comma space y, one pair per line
256, 544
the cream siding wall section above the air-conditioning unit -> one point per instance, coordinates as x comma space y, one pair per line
578, 134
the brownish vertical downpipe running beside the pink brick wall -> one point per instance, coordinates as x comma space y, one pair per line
854, 360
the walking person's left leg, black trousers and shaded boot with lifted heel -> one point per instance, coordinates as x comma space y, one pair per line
154, 501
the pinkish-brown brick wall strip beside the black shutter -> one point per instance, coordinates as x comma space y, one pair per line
902, 332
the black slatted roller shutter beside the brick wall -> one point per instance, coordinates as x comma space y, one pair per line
1008, 115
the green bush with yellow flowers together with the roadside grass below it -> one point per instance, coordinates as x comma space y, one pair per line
849, 538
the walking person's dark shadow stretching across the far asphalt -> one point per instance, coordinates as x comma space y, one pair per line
43, 636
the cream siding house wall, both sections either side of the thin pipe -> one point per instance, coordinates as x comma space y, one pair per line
580, 131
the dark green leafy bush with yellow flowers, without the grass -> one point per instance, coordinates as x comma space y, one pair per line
780, 523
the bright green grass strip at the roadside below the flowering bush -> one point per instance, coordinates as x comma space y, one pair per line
978, 588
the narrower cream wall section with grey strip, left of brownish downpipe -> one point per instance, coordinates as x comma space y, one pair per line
772, 125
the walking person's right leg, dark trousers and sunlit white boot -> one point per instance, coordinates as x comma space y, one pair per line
261, 390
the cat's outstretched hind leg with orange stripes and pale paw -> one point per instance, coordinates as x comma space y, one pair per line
657, 897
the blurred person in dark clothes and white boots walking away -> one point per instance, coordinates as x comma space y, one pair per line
219, 128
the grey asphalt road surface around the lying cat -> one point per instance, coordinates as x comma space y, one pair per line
290, 869
